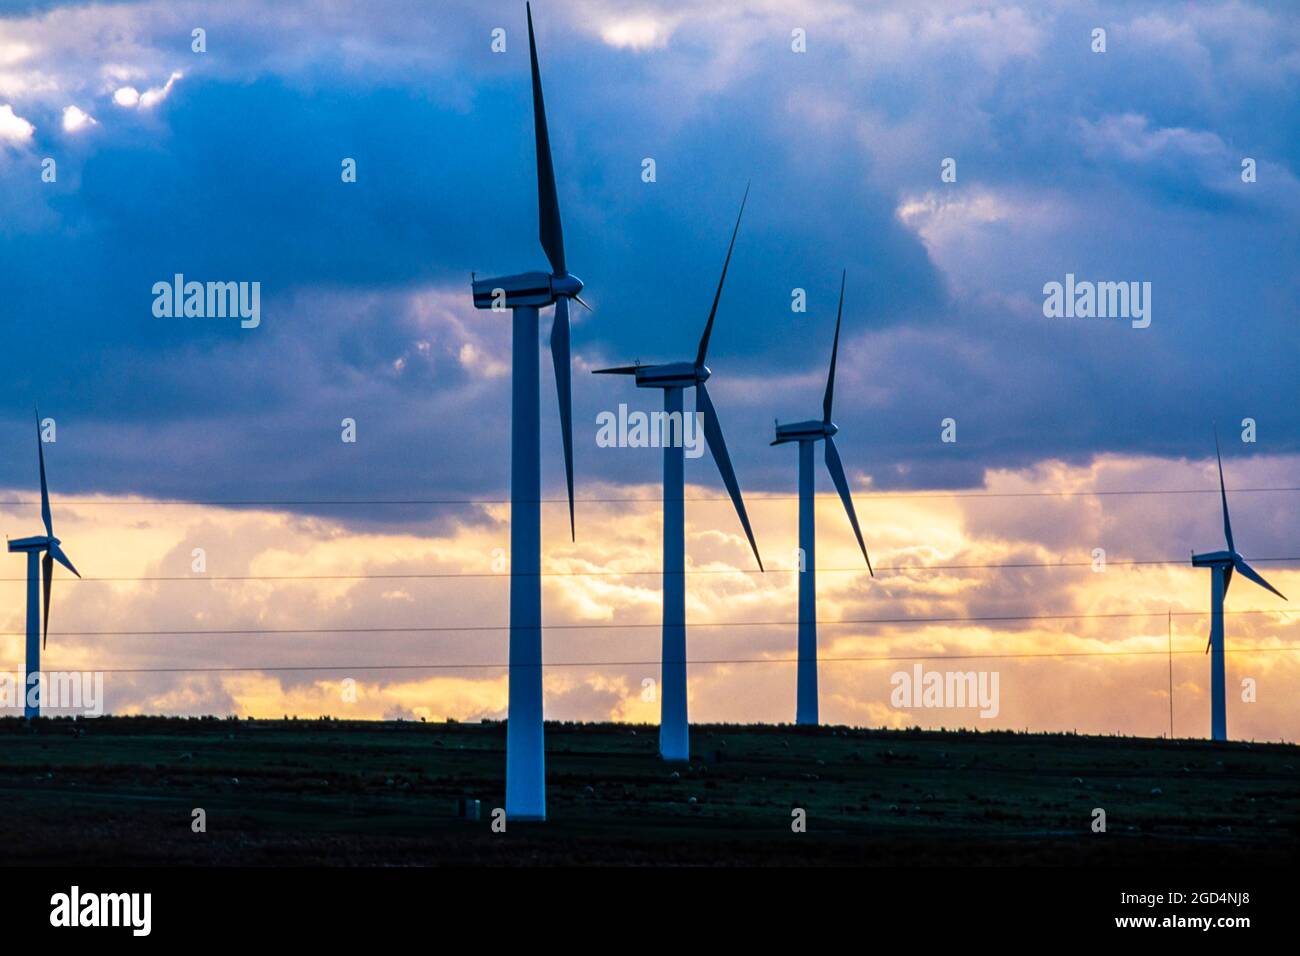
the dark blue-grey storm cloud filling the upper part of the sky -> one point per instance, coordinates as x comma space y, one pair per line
1100, 166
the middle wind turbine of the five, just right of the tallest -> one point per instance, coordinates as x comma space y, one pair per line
674, 378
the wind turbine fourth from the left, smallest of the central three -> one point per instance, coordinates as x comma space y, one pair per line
808, 434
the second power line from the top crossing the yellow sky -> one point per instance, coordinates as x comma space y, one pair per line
505, 576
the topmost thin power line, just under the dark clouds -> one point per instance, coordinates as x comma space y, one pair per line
877, 496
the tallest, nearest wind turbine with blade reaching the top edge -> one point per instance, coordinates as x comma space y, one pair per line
525, 295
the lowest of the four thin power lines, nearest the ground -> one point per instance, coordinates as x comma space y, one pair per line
656, 664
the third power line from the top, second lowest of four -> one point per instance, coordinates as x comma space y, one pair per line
453, 629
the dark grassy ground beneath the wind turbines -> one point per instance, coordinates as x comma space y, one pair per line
122, 791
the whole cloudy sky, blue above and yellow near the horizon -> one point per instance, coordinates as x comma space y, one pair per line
226, 166
